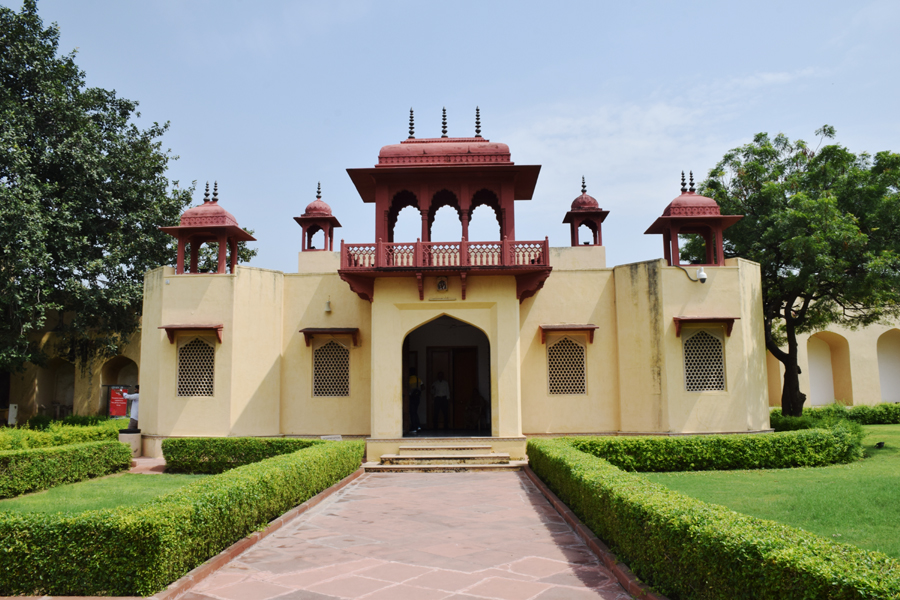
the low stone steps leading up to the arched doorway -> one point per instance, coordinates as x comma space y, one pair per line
443, 457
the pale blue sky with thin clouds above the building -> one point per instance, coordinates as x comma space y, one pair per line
271, 97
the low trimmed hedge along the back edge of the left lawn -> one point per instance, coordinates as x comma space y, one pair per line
23, 471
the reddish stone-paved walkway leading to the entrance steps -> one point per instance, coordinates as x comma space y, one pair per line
430, 536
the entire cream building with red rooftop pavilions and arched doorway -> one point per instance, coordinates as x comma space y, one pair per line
527, 339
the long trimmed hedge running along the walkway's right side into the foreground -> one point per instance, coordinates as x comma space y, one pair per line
691, 550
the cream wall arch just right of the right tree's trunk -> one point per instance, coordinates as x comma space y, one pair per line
829, 369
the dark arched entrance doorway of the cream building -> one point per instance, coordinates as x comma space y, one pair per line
447, 356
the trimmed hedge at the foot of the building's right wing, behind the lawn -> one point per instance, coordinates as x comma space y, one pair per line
809, 448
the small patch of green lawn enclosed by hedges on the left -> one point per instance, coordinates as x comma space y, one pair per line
106, 492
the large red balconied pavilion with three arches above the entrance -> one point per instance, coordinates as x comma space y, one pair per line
428, 174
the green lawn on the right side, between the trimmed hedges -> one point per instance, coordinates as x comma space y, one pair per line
857, 503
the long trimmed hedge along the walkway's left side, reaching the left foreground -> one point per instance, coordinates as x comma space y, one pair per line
138, 551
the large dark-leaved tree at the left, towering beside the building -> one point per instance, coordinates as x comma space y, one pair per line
82, 192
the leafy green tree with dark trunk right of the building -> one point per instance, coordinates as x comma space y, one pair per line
824, 224
